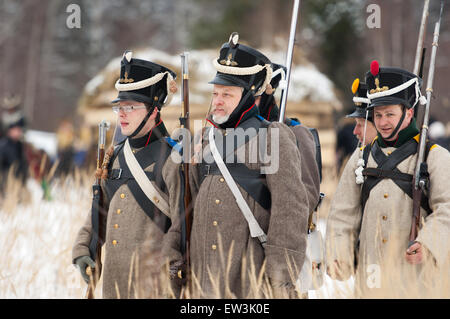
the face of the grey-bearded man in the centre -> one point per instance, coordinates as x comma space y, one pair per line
224, 100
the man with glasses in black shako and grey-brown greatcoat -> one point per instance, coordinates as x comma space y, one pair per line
141, 187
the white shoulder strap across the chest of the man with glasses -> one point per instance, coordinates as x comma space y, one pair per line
143, 181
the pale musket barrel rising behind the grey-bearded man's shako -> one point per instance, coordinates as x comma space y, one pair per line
285, 85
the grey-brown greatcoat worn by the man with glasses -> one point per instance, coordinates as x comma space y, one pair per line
133, 260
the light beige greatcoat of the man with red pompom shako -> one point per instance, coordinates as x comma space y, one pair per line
382, 269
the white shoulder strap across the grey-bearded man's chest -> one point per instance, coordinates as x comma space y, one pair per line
255, 229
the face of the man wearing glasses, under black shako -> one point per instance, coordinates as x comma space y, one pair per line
129, 121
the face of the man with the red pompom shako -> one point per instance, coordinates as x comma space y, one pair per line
387, 117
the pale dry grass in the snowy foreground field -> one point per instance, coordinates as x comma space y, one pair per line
37, 238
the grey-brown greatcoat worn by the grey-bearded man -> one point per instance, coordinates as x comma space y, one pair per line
224, 257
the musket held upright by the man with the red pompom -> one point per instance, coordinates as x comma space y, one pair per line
420, 180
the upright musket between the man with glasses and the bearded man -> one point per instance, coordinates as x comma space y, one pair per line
186, 223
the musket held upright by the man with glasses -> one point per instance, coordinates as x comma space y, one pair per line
95, 245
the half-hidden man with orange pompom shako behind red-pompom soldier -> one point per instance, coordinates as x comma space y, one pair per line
364, 130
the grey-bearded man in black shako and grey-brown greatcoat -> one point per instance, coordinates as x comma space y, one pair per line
248, 209
